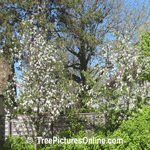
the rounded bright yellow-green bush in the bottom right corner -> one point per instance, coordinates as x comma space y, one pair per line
135, 132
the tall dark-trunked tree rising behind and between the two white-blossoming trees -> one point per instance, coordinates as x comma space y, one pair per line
85, 27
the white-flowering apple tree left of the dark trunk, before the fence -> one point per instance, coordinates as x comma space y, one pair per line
44, 89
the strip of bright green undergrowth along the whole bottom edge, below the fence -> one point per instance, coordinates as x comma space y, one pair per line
135, 134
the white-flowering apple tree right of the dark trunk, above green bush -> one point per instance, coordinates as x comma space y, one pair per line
126, 93
